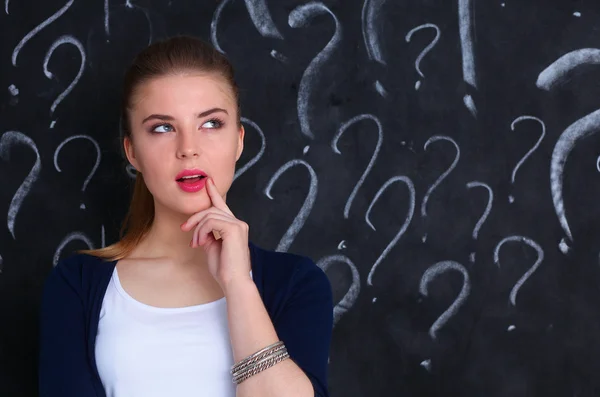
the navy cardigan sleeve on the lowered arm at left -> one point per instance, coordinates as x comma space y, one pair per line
63, 366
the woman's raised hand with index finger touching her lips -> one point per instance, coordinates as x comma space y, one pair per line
223, 237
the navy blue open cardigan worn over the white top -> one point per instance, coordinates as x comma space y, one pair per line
296, 293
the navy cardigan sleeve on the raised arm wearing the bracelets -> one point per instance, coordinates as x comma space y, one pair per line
306, 323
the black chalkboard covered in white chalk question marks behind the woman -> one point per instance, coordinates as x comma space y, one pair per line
438, 159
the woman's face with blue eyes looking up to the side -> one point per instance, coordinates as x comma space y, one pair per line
186, 121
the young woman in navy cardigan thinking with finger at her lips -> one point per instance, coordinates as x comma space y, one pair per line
184, 304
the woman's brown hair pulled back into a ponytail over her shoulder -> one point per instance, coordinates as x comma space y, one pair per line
175, 55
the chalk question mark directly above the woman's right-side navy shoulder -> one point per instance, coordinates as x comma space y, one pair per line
289, 236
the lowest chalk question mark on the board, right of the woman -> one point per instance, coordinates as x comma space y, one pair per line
433, 272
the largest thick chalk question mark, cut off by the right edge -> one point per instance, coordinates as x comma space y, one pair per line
586, 126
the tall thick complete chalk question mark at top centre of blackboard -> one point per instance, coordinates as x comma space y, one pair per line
299, 17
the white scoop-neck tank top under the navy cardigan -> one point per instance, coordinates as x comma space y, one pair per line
147, 351
